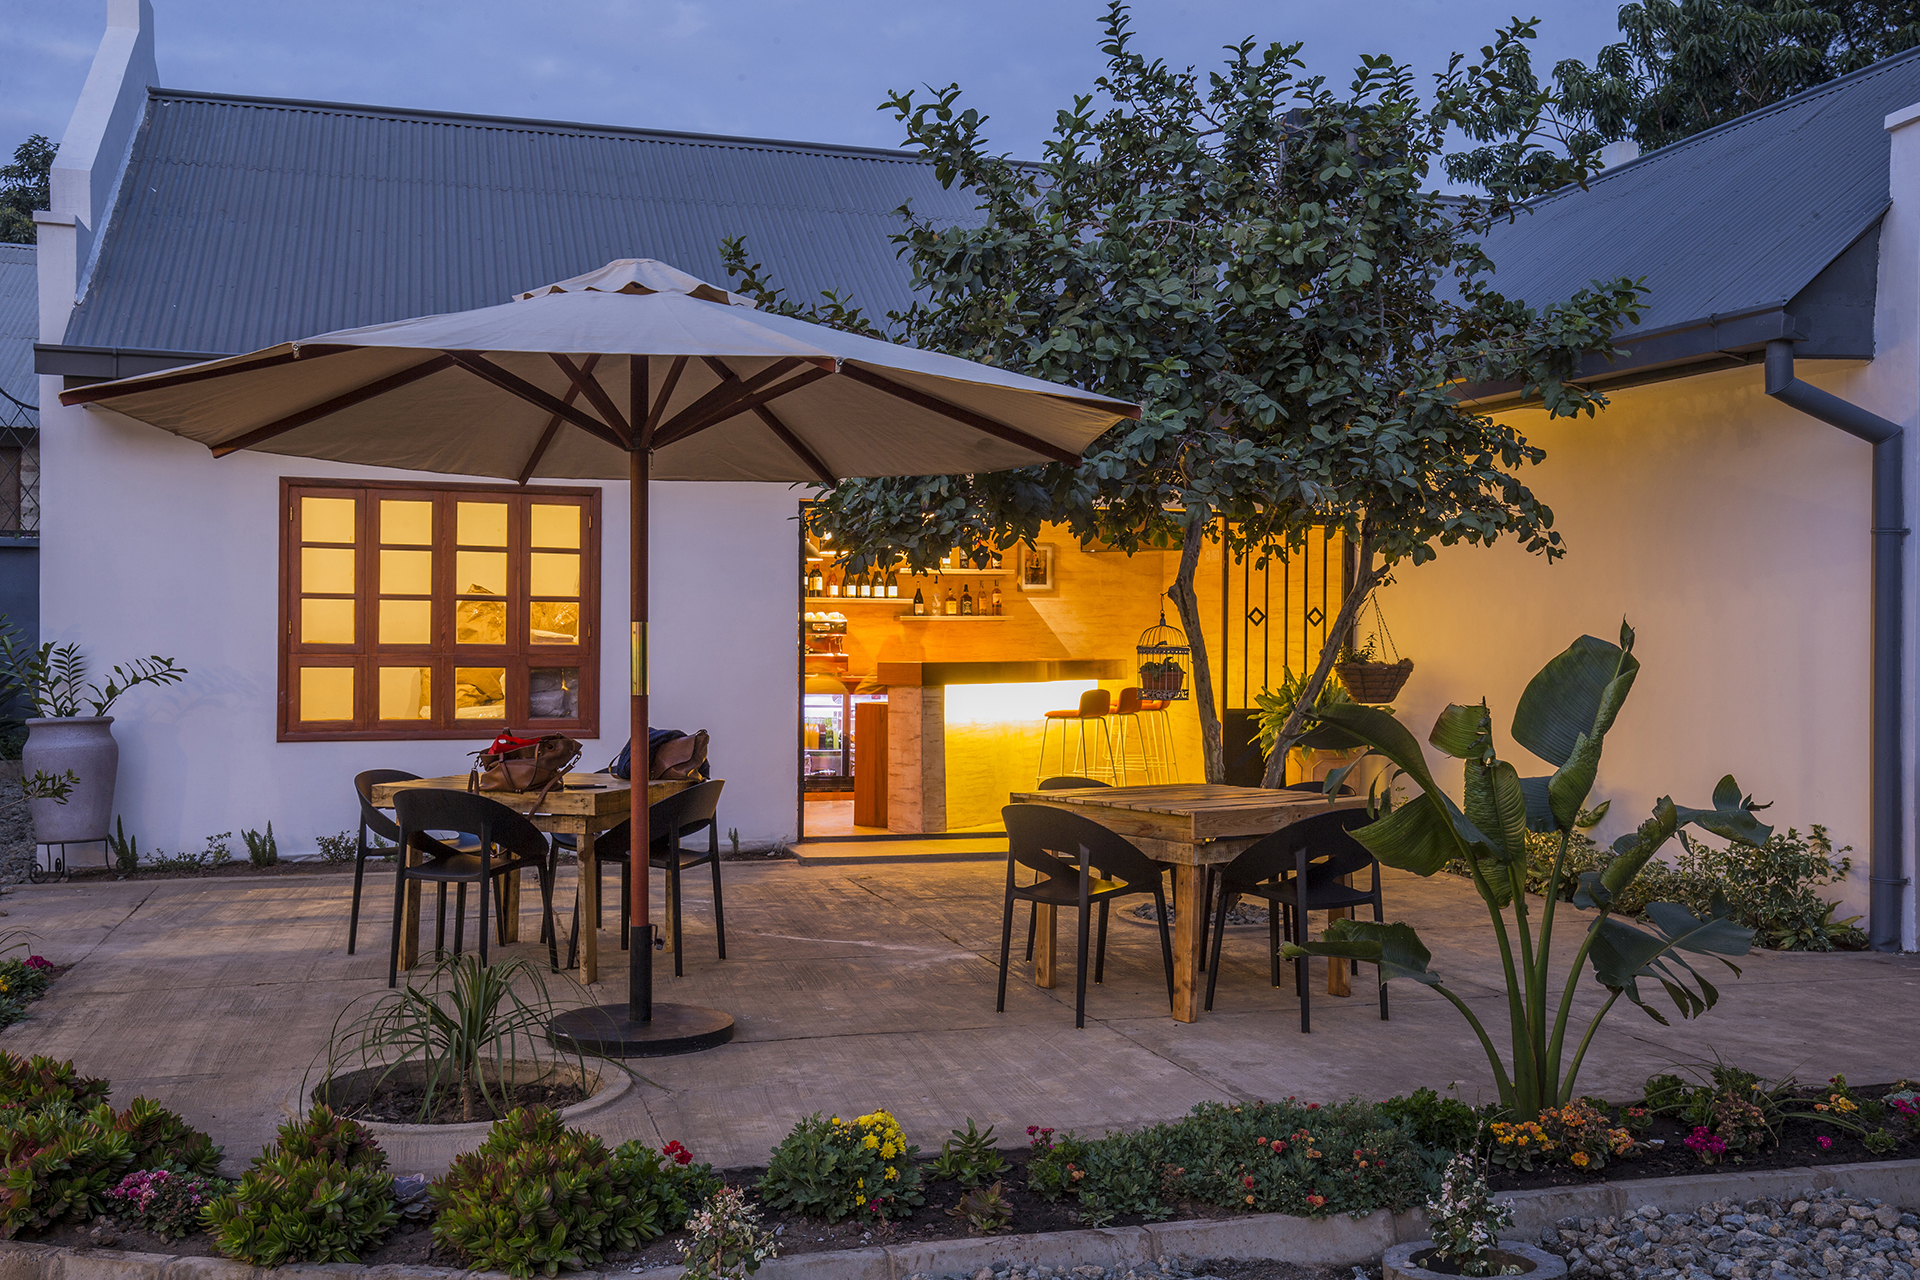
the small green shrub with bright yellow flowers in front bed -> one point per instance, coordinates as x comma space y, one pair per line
838, 1170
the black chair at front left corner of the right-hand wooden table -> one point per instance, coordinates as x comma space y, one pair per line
1044, 838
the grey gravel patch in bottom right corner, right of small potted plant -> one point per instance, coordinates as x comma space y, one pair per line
1815, 1235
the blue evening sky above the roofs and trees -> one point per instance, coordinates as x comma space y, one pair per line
761, 68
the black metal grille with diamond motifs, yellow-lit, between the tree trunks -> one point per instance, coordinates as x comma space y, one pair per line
1276, 611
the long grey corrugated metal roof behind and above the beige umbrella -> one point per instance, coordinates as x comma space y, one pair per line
249, 222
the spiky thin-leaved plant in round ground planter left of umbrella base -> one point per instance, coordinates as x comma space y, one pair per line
466, 1031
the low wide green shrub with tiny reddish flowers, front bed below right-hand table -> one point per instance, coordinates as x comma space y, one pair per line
1260, 1158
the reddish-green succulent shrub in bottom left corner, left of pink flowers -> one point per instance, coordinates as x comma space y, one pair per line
59, 1162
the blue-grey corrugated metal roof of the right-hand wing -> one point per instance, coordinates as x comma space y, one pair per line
1727, 222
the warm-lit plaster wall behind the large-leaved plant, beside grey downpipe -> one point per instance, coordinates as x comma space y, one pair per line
1733, 533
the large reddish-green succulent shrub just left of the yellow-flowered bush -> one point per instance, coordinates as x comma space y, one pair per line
540, 1197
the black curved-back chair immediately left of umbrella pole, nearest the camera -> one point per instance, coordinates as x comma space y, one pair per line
508, 843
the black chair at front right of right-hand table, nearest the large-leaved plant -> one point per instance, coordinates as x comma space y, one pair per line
1301, 868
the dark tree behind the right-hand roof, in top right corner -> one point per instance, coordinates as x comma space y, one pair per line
1681, 68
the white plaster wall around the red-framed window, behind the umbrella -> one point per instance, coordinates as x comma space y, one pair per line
151, 546
